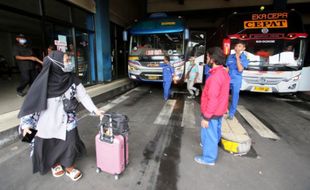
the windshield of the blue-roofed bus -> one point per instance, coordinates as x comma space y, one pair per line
157, 44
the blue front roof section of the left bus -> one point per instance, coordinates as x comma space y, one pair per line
158, 26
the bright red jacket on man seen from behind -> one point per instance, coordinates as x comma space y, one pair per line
214, 98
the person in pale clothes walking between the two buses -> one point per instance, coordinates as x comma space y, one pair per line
192, 76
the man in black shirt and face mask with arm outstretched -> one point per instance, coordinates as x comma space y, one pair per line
25, 62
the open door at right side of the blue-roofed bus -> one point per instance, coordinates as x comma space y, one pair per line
196, 47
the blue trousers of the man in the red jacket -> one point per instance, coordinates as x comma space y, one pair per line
210, 137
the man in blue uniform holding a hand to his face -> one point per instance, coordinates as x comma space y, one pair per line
235, 64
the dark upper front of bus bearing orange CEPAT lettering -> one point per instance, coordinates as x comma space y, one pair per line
260, 22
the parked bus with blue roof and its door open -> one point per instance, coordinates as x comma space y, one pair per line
160, 35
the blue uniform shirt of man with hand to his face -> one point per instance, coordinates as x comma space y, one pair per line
231, 62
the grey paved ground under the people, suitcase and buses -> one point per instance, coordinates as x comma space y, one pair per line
161, 156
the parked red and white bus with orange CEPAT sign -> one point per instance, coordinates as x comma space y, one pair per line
276, 48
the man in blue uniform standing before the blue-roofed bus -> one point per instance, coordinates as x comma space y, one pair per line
168, 73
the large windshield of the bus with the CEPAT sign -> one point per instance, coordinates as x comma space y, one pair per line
275, 54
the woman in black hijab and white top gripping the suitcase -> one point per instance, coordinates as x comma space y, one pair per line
57, 142
